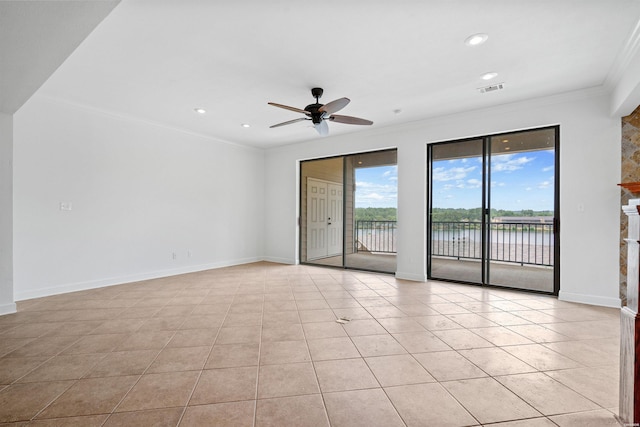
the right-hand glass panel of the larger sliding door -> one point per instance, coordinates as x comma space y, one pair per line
521, 215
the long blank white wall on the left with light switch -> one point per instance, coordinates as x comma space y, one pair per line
139, 193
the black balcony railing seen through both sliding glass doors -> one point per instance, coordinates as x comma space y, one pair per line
516, 242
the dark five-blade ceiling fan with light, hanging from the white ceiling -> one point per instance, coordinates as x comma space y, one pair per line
319, 113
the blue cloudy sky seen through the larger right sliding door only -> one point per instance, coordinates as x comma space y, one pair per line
518, 181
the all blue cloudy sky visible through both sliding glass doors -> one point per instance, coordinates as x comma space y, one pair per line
518, 181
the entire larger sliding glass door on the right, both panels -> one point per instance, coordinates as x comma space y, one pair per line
493, 210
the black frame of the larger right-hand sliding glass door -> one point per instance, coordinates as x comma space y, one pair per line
486, 209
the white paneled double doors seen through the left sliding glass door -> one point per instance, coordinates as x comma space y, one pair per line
324, 219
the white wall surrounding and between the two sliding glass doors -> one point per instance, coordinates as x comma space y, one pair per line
589, 171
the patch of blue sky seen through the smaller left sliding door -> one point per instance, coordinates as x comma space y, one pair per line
377, 187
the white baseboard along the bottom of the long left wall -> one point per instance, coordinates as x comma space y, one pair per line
93, 284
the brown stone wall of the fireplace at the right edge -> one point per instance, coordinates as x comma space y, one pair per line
630, 173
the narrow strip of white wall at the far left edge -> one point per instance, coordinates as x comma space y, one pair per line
6, 214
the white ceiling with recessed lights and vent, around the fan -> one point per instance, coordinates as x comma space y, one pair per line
157, 60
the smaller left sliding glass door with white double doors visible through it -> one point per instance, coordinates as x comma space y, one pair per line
348, 207
